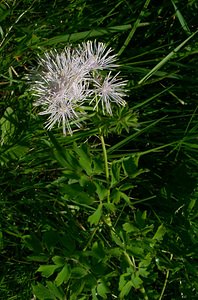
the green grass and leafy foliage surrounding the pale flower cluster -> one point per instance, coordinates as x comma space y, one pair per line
60, 237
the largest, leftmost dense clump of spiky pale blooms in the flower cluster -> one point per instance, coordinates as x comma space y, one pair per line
60, 88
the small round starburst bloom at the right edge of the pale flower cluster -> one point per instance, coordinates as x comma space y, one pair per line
107, 91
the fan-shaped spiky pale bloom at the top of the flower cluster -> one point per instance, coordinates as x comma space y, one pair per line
95, 56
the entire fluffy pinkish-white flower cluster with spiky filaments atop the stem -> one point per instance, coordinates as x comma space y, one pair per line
74, 78
